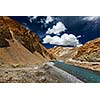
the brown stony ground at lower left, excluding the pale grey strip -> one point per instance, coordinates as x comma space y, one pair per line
38, 73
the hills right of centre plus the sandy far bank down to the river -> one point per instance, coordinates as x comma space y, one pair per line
87, 56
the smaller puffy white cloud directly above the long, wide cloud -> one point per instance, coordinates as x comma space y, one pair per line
59, 27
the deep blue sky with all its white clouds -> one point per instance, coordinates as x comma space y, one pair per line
62, 30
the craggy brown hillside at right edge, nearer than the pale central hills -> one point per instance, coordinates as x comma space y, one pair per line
89, 52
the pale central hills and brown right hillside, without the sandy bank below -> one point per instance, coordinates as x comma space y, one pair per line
89, 52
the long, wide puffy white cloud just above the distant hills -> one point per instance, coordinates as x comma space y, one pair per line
65, 40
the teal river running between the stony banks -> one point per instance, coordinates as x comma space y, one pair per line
83, 74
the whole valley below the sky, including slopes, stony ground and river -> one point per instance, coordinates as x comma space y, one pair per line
24, 59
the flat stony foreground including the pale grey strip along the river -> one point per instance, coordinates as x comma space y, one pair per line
39, 73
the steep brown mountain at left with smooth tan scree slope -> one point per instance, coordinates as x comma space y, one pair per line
19, 45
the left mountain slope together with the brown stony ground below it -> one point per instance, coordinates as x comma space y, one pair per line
22, 57
